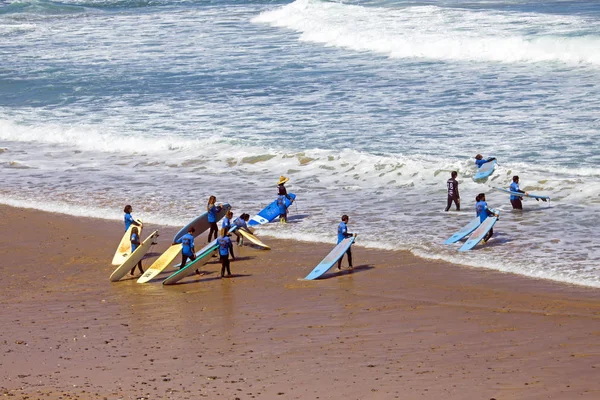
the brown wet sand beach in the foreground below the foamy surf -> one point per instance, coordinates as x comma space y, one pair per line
395, 327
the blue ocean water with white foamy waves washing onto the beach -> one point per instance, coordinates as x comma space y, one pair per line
366, 105
